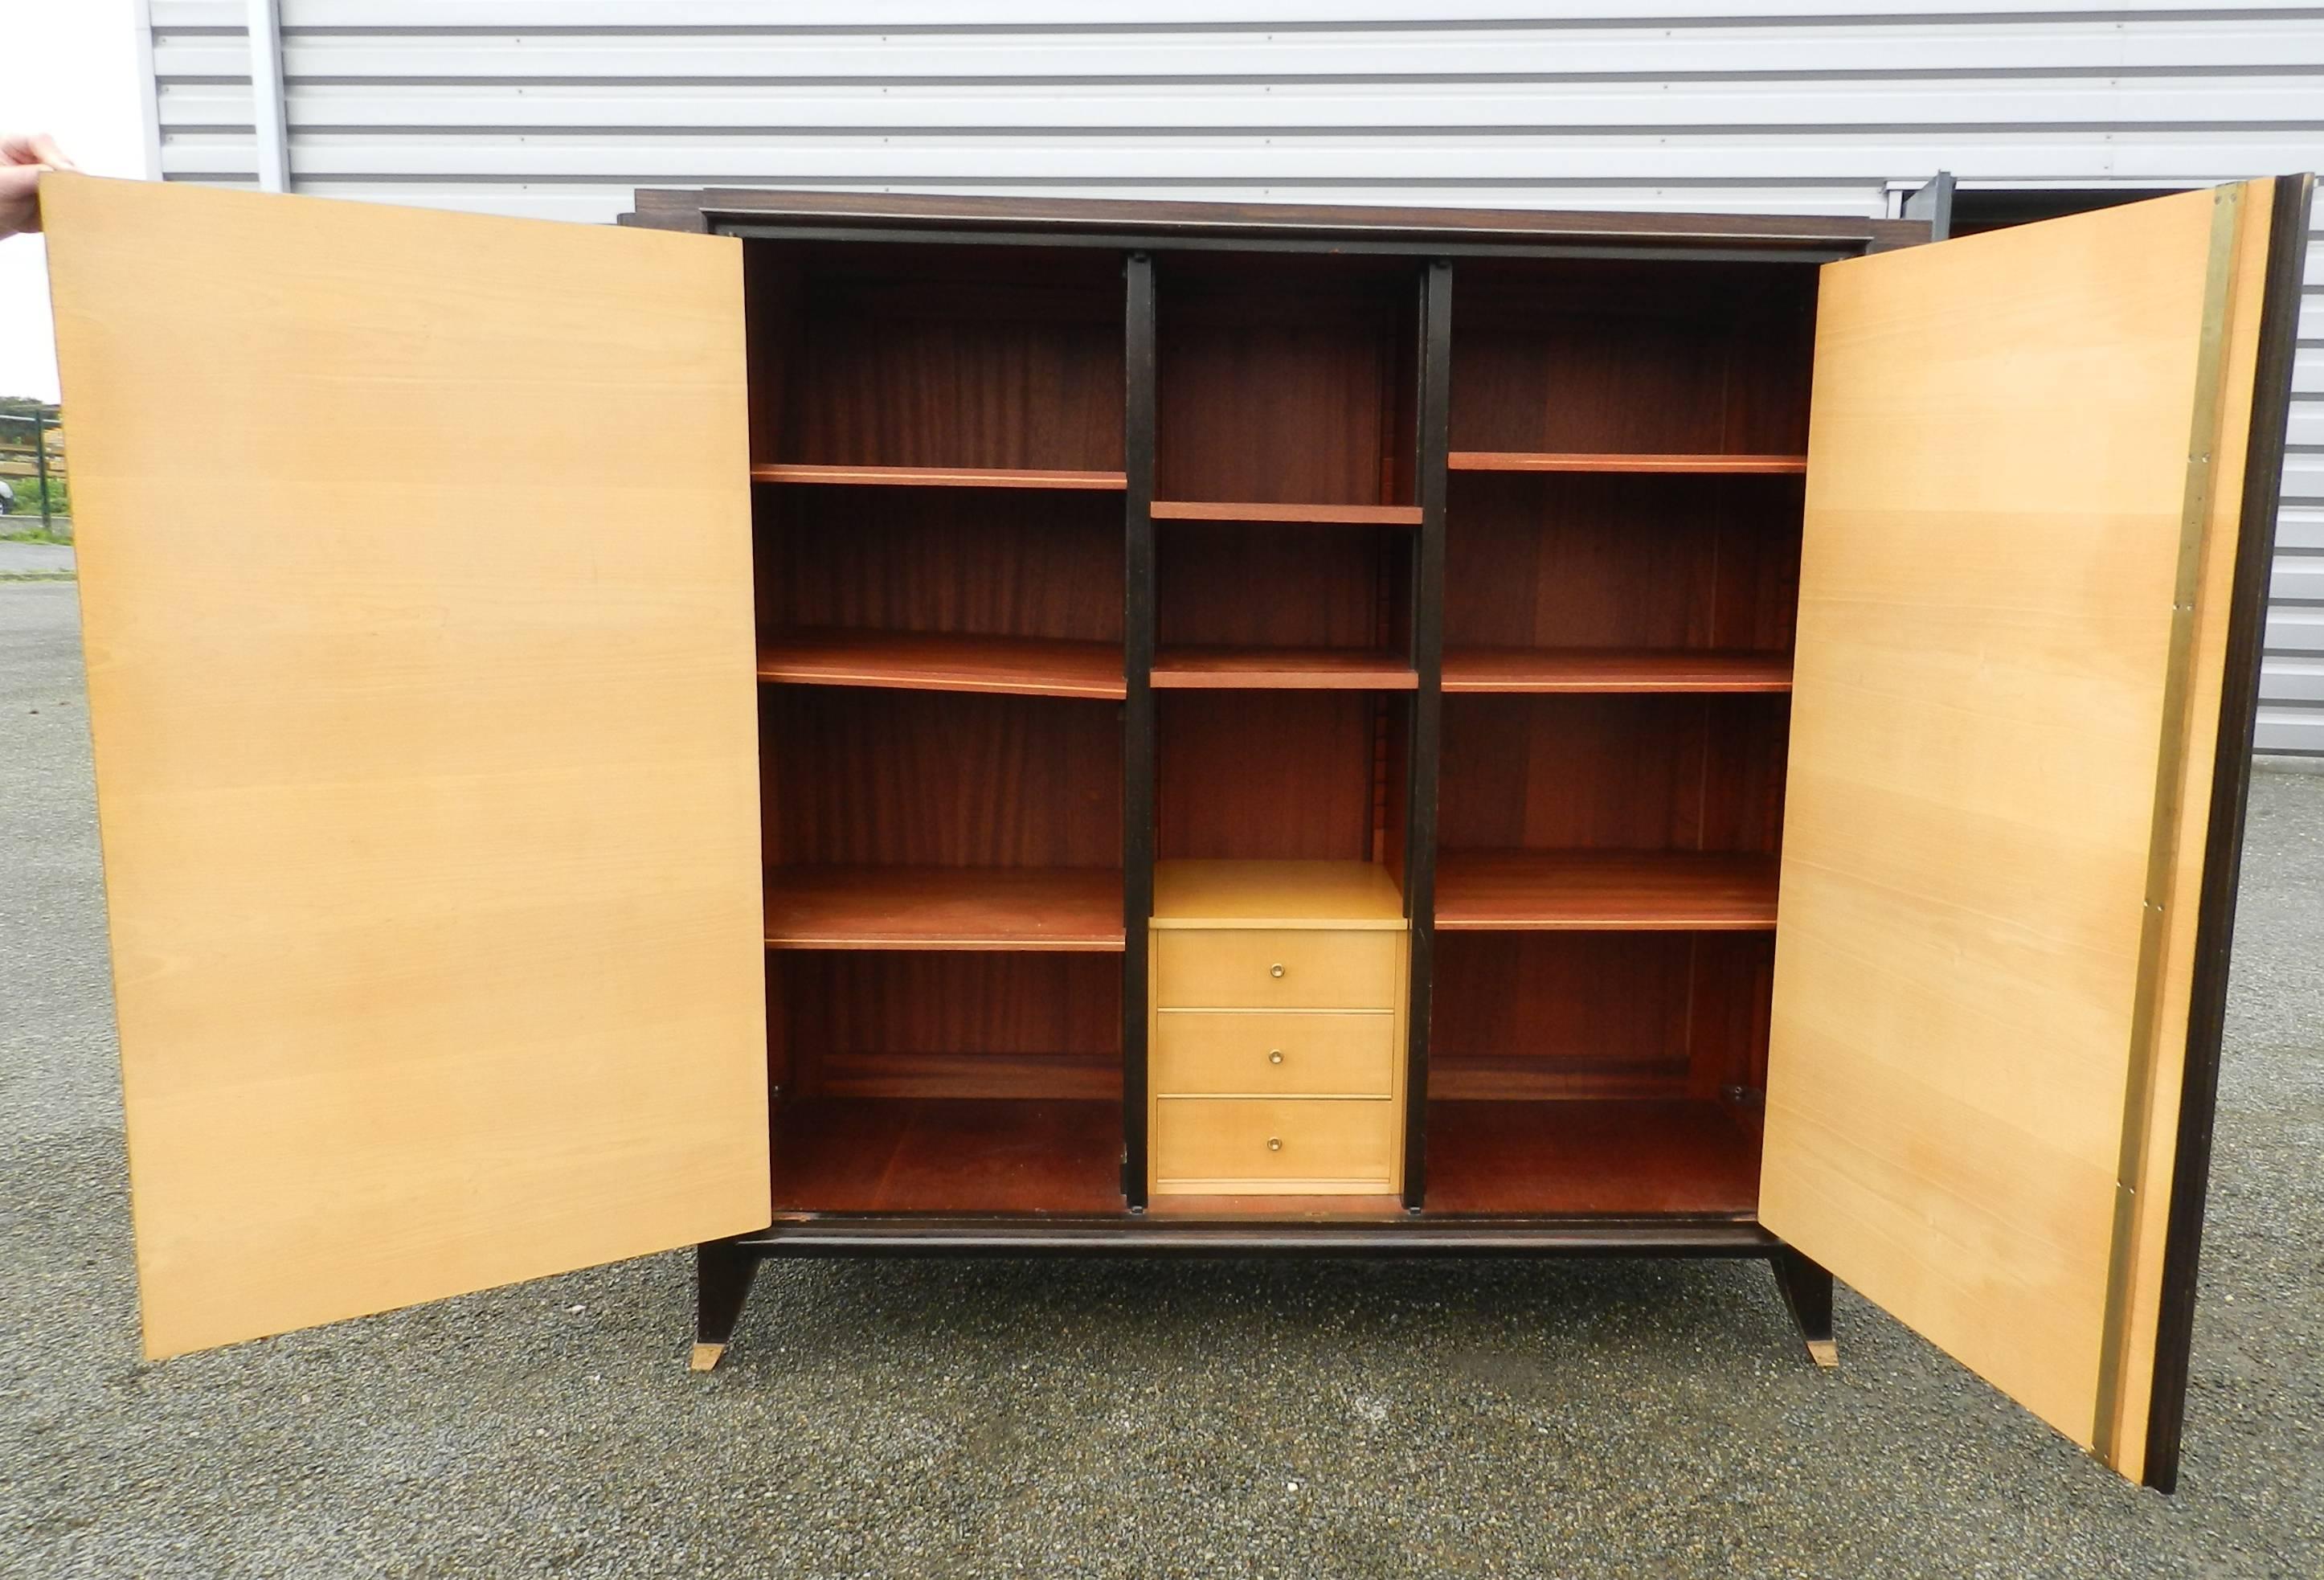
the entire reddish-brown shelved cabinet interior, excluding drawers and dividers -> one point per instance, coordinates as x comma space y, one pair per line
942, 452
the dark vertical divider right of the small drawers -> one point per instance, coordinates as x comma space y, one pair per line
1428, 708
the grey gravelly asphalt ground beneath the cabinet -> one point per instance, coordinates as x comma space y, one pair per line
1117, 1419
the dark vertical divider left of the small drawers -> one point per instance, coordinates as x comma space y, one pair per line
1140, 740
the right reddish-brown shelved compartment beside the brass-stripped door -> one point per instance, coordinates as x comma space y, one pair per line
1628, 450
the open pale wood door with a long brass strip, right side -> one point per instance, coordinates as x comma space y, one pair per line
2028, 647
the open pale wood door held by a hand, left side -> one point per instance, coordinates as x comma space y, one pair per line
417, 603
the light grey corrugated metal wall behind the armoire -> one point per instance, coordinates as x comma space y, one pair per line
561, 108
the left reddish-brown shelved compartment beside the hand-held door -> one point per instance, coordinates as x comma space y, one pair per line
938, 517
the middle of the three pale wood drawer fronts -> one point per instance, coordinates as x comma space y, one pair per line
1303, 1054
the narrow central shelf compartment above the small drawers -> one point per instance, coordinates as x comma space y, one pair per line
1284, 633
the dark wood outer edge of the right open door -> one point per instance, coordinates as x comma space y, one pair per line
2223, 847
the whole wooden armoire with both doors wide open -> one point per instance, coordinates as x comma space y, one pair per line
835, 724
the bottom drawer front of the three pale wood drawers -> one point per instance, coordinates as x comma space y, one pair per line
1275, 1144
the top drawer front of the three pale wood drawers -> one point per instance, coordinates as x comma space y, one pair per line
1261, 968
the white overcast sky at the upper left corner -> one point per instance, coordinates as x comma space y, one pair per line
71, 69
